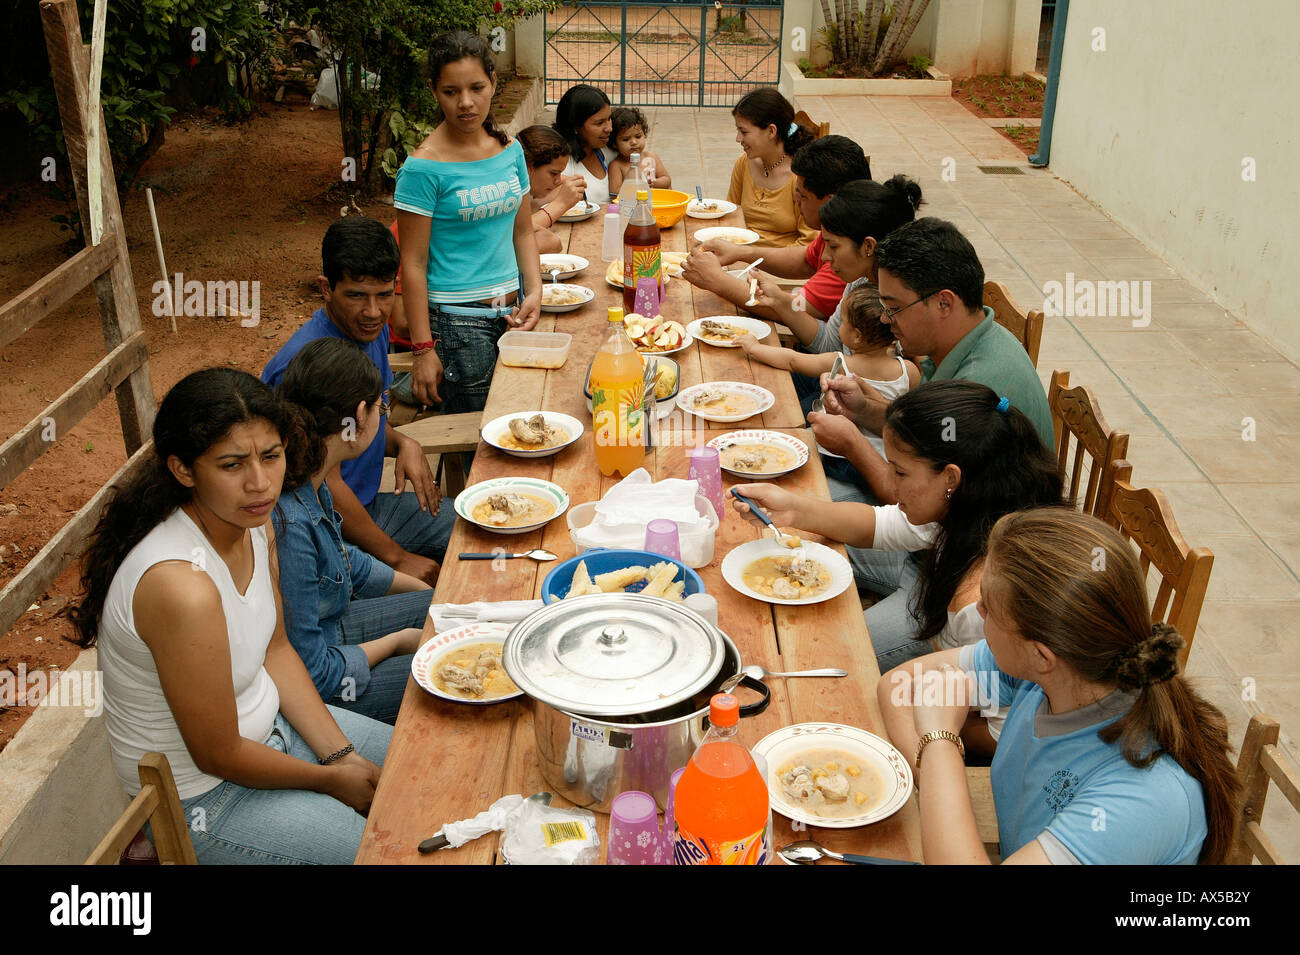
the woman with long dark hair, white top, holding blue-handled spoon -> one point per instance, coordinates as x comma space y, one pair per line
961, 458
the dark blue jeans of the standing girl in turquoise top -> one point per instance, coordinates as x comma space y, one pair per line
467, 348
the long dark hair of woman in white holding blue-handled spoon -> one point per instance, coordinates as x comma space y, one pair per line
1004, 468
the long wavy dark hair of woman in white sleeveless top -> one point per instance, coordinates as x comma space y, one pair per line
197, 414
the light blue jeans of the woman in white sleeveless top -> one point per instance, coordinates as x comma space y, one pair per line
233, 824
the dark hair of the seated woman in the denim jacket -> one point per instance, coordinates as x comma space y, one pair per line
320, 390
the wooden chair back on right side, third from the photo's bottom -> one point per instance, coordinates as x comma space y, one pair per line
1076, 414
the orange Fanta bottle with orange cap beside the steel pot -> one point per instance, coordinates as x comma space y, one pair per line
722, 805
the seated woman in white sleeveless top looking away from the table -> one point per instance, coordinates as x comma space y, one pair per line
183, 602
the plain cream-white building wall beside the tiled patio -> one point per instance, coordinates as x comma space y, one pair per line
1156, 129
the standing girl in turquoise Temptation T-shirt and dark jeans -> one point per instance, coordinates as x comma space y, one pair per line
465, 225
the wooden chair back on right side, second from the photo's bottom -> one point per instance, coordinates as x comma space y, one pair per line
1146, 518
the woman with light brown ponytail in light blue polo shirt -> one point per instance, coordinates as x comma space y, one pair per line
1108, 756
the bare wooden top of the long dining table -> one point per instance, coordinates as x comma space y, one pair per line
449, 762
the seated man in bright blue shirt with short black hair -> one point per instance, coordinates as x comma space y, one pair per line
408, 532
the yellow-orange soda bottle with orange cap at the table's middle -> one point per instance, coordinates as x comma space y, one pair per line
618, 387
